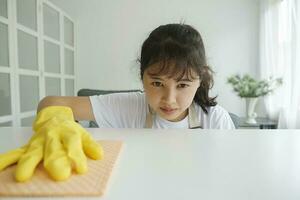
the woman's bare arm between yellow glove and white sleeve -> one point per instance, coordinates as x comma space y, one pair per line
81, 106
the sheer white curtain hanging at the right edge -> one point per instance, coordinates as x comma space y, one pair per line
280, 57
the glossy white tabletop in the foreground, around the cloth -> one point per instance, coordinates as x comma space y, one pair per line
195, 164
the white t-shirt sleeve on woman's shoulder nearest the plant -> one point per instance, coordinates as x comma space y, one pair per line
220, 119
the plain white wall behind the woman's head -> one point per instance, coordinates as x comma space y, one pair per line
110, 34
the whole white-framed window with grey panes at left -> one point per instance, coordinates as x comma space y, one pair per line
37, 57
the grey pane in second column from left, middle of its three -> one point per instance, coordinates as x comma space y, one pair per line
27, 49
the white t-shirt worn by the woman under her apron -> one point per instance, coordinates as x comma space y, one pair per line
128, 110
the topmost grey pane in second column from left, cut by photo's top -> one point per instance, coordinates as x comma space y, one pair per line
26, 13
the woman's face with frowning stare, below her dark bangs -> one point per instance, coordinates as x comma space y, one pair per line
168, 97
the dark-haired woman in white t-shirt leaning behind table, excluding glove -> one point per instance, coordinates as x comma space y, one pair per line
176, 80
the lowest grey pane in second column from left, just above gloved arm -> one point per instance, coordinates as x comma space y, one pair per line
29, 92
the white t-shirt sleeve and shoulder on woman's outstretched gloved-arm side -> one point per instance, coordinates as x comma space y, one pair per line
119, 110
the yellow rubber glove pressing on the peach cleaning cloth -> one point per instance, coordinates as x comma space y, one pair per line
59, 141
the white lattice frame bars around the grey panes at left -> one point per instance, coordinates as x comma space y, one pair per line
14, 71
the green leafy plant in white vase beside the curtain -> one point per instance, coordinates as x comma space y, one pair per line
250, 89
